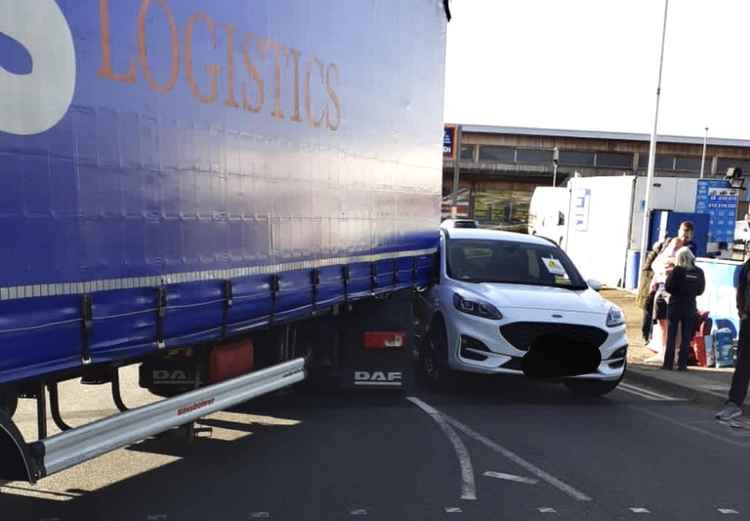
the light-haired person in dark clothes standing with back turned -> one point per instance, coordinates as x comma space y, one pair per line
684, 283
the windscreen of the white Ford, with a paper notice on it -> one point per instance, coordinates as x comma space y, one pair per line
481, 260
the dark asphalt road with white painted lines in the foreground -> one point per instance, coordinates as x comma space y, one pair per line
491, 449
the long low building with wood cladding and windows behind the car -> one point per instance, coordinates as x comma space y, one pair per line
499, 167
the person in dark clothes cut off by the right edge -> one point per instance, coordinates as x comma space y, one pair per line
738, 392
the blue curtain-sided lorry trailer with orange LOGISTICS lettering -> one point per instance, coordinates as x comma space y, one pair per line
177, 177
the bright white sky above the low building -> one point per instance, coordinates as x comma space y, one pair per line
593, 65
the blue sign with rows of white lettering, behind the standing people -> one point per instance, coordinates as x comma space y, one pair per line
716, 198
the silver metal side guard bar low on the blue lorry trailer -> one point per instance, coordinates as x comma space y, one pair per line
75, 446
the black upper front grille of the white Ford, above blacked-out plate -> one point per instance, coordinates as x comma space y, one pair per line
522, 335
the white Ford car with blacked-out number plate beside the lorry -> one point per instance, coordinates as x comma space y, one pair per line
513, 303
